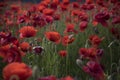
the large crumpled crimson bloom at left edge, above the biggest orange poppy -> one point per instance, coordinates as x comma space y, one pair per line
11, 53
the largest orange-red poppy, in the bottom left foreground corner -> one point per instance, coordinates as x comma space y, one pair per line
16, 71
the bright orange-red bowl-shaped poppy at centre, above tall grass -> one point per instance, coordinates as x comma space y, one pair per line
53, 36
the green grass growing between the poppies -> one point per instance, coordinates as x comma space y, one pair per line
50, 63
